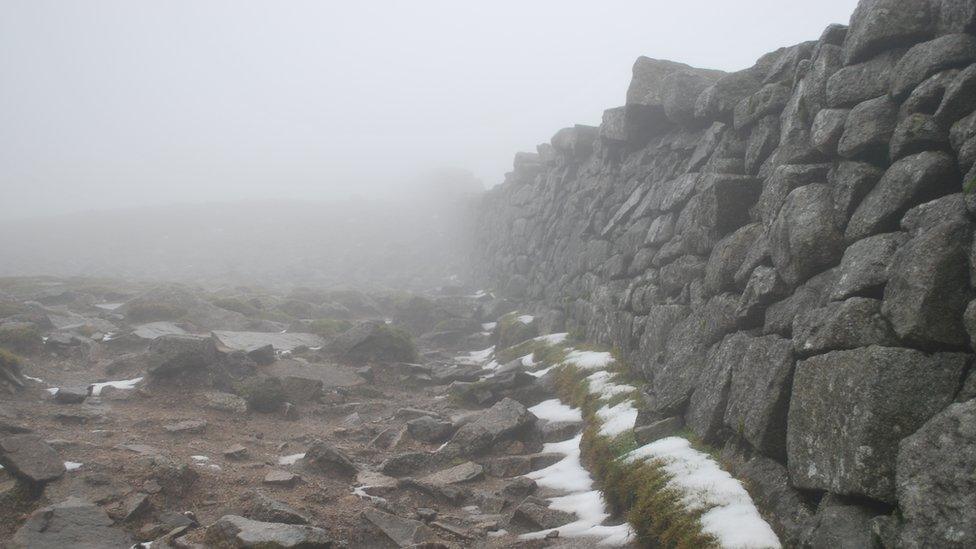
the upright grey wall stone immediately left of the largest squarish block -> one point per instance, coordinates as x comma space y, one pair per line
759, 394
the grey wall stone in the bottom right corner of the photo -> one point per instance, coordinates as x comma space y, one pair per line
936, 486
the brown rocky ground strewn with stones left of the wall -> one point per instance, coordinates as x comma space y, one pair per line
246, 419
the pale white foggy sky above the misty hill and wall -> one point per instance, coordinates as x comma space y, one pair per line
116, 103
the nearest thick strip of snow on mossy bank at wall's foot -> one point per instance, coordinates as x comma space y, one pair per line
730, 515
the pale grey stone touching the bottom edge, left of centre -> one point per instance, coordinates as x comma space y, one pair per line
239, 532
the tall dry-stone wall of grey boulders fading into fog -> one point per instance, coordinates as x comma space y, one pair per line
784, 255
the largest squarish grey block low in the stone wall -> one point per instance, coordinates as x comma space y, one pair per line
850, 409
